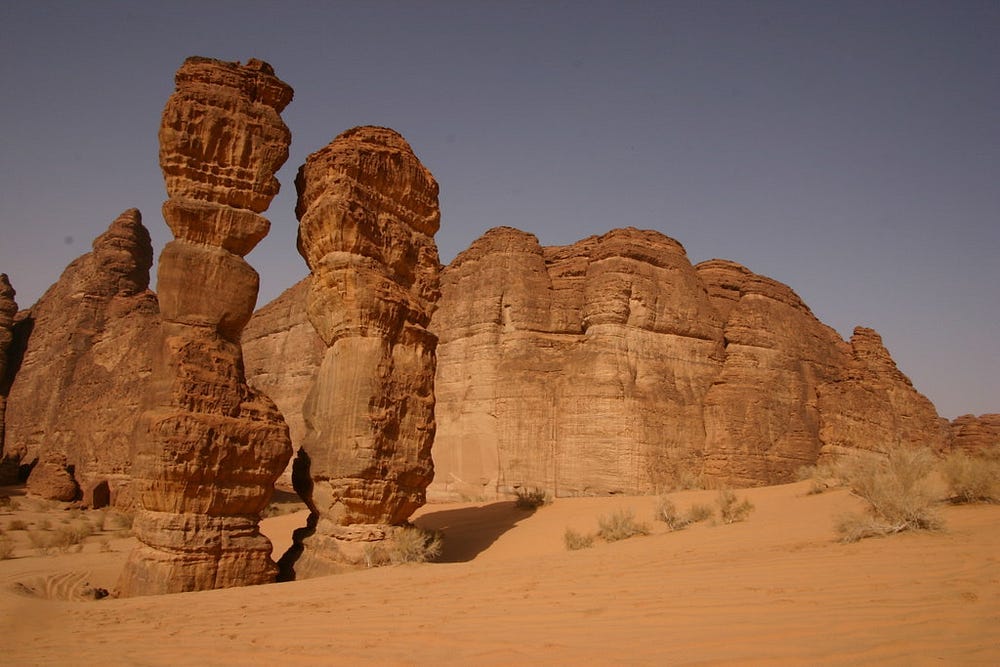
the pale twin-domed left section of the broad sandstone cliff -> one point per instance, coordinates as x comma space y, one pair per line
580, 369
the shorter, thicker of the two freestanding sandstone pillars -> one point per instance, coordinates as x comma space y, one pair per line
368, 211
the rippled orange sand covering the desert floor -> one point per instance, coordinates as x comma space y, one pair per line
775, 589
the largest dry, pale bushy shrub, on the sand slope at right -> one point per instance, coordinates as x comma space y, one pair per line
897, 491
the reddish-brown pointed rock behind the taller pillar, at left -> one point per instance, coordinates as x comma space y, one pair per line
77, 393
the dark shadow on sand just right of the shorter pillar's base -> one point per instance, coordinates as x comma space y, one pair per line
469, 531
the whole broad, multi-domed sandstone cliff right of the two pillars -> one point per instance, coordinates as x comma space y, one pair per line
614, 366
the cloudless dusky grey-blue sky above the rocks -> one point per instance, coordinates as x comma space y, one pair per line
848, 149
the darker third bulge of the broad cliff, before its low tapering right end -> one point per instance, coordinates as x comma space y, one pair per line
761, 414
